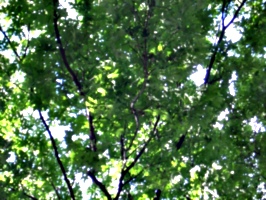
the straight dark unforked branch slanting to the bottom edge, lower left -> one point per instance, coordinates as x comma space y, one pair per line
70, 189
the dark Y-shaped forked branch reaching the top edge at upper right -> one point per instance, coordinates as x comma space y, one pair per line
224, 27
